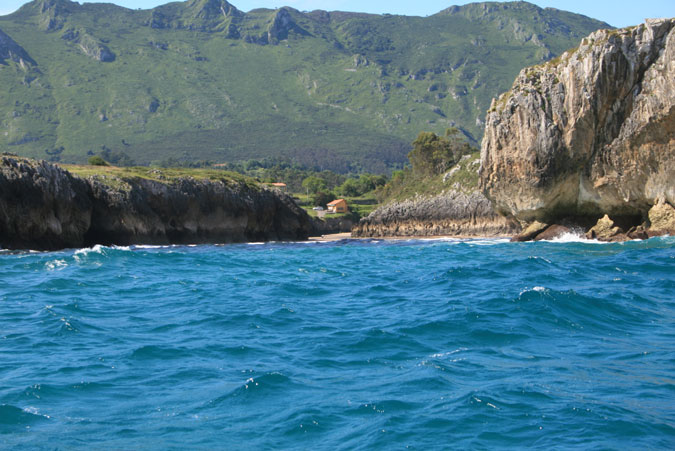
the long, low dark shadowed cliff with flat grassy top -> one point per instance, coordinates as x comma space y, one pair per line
43, 206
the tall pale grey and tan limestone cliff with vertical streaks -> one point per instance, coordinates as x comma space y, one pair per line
588, 134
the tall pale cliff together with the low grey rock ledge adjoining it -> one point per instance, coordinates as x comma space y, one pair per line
581, 144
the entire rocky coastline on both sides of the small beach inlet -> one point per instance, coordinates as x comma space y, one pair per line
581, 144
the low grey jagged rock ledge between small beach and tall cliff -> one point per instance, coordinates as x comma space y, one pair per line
451, 213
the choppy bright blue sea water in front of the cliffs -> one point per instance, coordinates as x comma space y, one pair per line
439, 344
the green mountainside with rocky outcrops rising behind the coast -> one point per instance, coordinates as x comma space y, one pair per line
201, 80
